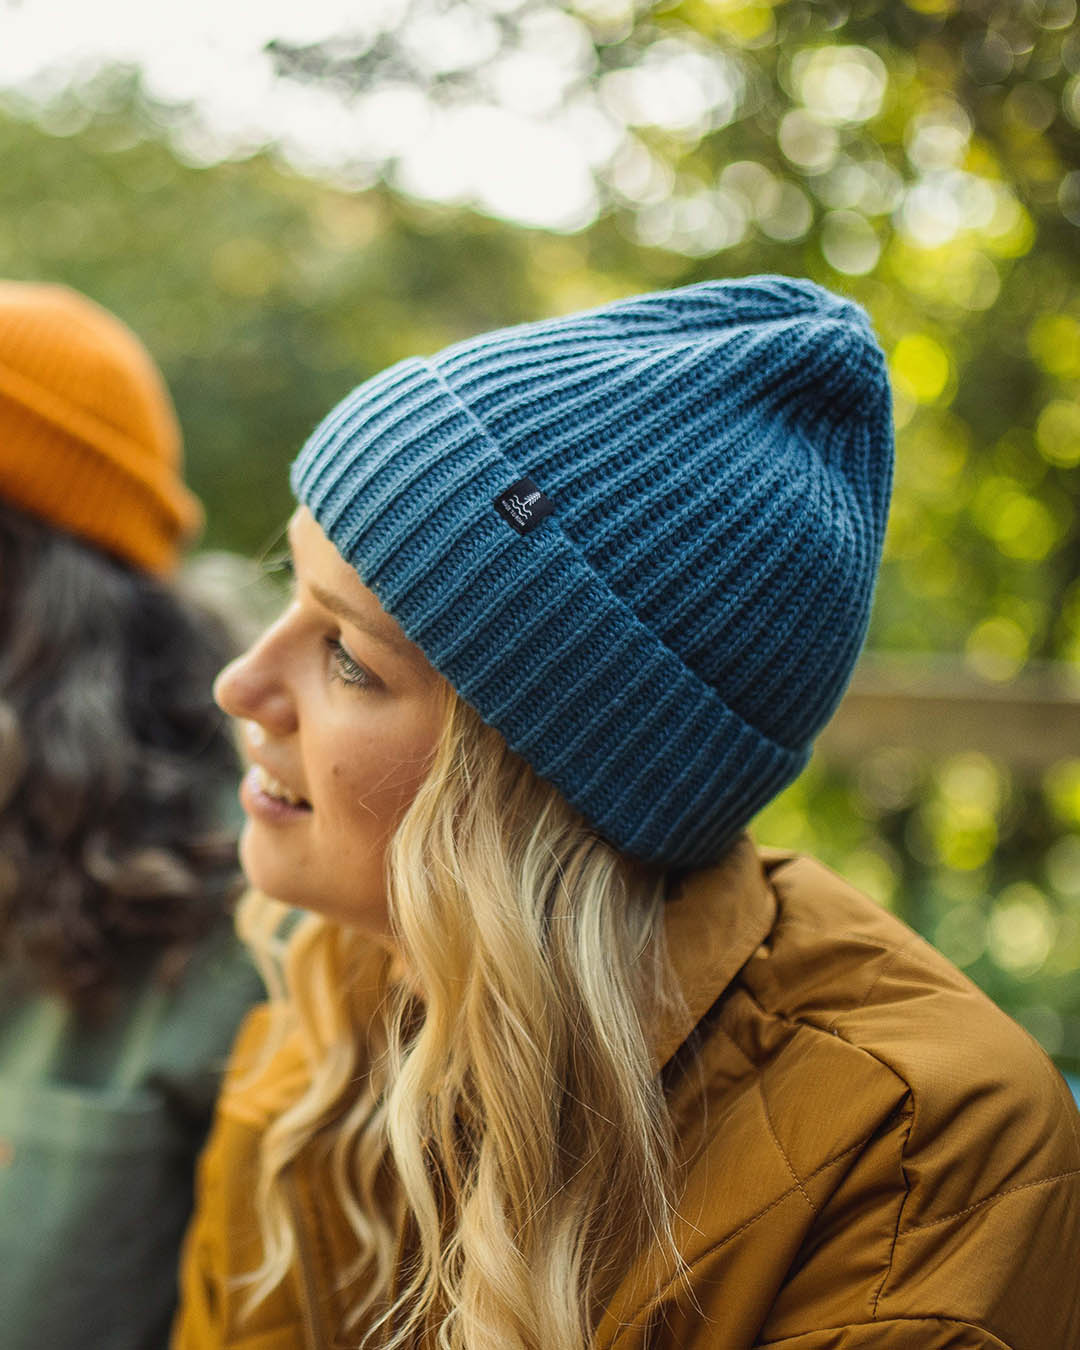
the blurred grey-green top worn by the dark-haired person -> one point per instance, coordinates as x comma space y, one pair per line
101, 1127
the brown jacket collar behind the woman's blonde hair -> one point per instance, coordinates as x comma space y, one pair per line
715, 923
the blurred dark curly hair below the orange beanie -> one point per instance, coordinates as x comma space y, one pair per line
115, 766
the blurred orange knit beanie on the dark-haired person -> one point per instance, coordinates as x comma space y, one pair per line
88, 437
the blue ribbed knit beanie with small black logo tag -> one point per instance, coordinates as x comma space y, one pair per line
641, 542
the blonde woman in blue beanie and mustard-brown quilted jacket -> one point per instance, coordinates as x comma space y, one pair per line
558, 1058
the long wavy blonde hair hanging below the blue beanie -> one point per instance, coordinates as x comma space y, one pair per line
512, 1117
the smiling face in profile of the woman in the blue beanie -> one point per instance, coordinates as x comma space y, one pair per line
342, 718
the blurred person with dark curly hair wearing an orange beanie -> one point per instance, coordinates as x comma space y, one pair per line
121, 978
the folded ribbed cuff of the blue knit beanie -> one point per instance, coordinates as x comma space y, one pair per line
403, 479
